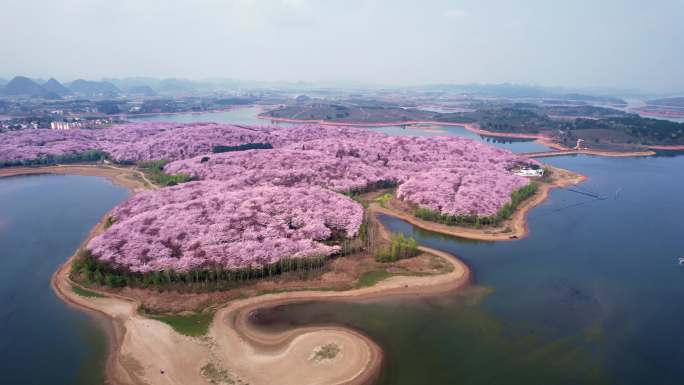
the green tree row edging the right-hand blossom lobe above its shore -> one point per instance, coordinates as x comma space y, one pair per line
504, 213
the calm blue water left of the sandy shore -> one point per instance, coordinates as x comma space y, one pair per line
43, 219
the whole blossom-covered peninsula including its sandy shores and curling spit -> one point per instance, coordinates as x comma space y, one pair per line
226, 220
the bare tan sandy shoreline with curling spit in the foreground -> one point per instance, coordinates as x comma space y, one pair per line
142, 347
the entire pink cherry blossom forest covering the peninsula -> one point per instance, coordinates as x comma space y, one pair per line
257, 207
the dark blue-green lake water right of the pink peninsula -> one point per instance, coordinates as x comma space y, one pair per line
593, 295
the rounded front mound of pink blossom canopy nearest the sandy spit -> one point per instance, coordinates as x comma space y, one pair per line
203, 224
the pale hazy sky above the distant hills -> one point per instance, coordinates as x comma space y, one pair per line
618, 43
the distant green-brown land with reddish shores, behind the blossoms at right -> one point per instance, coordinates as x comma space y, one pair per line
587, 129
